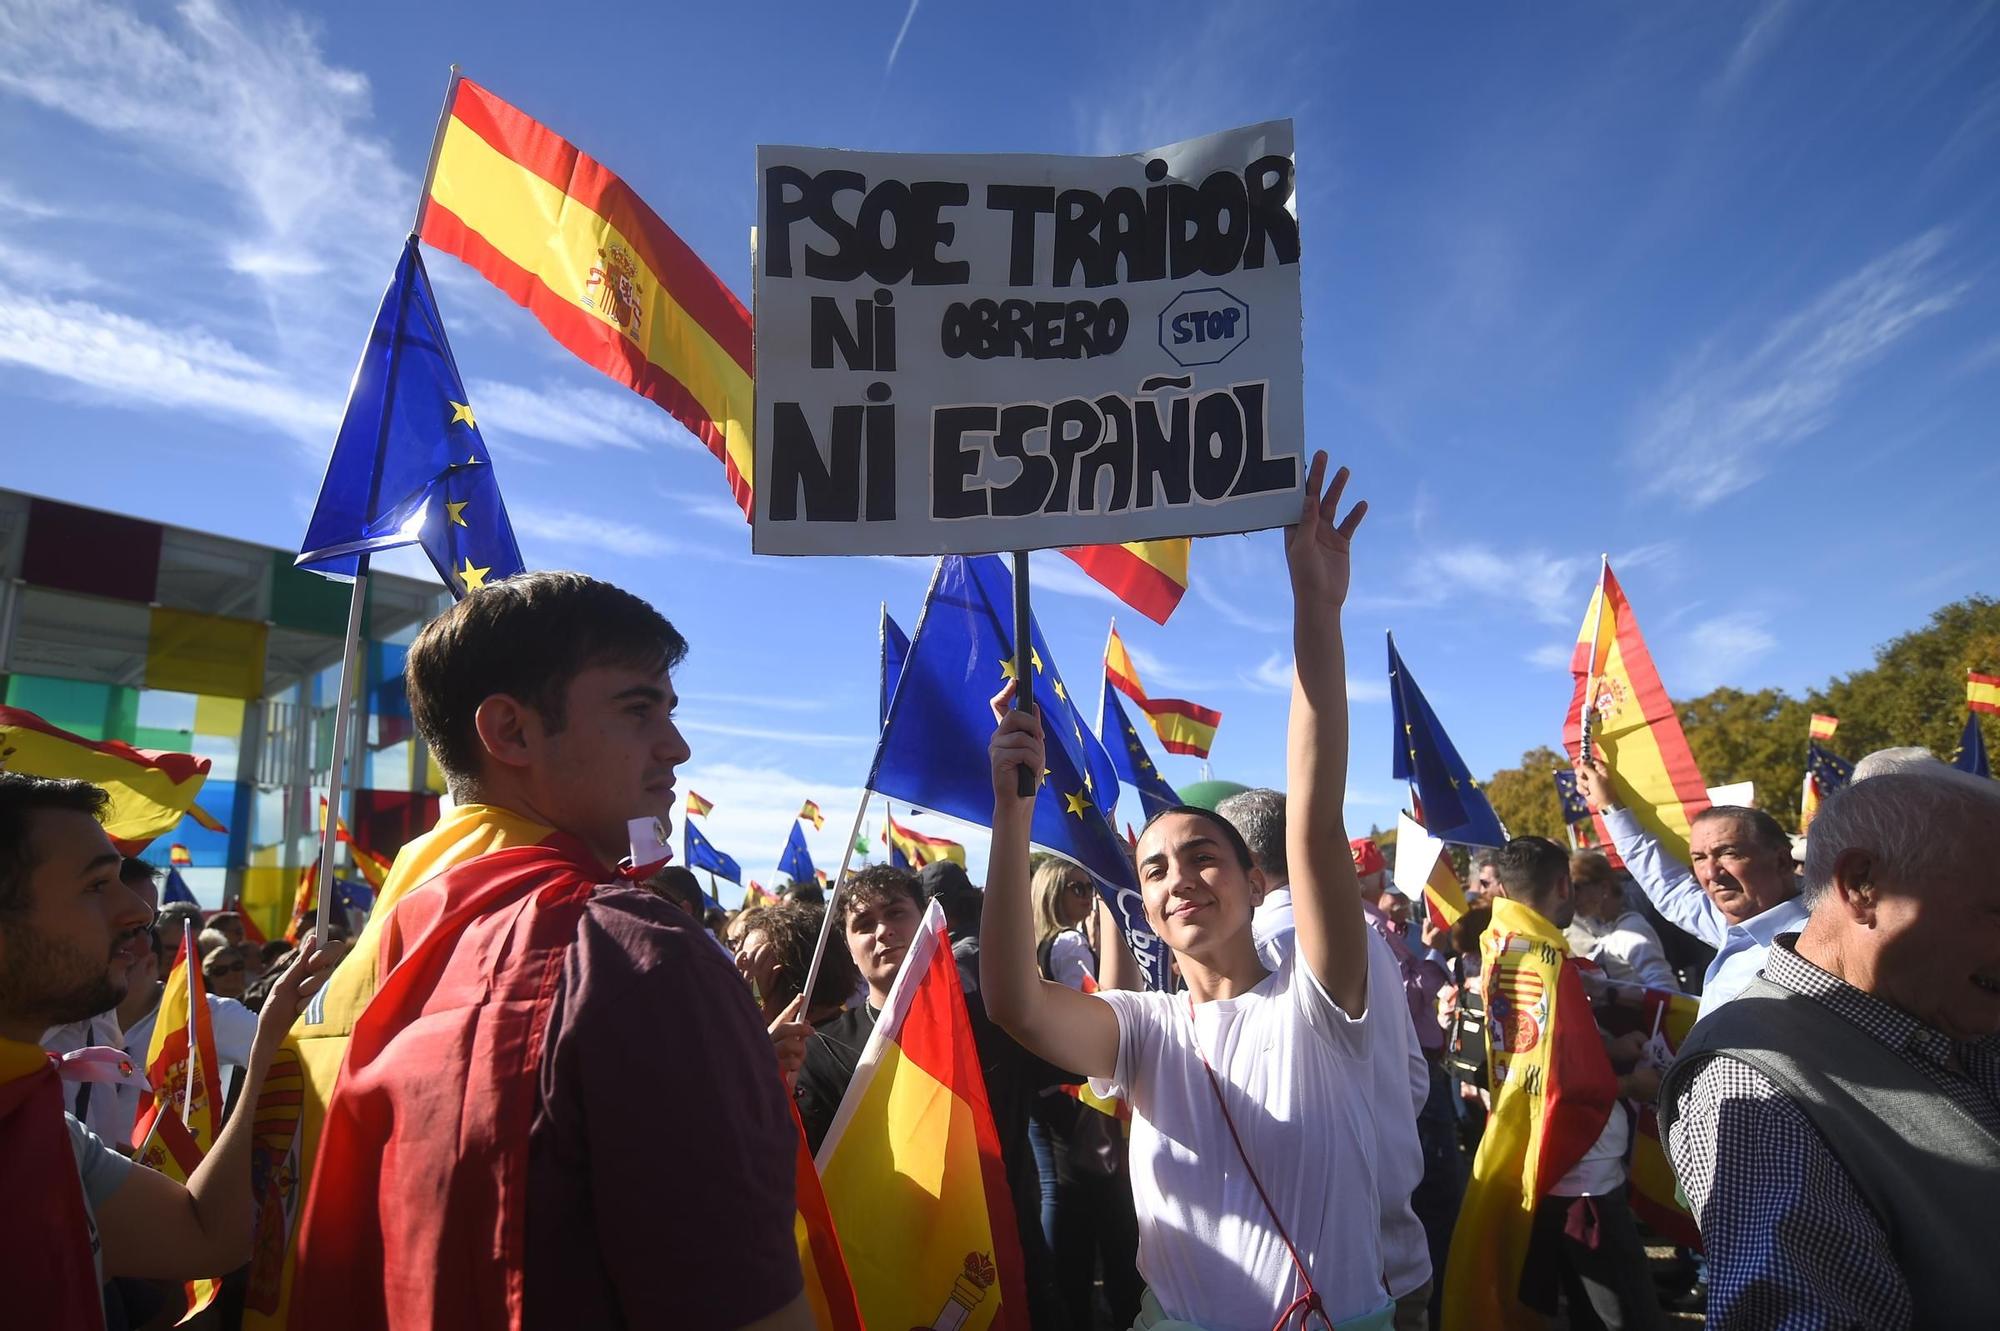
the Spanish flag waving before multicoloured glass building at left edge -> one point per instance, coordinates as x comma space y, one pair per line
151, 790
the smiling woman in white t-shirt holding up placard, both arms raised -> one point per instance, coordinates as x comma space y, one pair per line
1251, 1170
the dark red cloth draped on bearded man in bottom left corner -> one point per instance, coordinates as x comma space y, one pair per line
47, 1264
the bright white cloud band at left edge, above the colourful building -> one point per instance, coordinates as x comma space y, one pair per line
137, 363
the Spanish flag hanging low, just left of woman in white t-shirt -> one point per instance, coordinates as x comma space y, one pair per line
913, 1164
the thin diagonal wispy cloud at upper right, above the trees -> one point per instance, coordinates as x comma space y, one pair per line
1731, 411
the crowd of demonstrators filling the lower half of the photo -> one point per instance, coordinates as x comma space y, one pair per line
543, 1092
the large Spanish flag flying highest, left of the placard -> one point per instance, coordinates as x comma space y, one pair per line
607, 277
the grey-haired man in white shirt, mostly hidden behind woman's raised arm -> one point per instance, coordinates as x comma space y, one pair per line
1399, 1072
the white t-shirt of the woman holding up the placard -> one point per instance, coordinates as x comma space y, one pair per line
1295, 1072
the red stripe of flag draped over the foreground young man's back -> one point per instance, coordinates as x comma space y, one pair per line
417, 1212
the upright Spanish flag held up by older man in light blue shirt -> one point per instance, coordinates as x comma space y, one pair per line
1633, 722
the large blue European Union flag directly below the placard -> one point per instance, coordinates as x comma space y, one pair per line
933, 748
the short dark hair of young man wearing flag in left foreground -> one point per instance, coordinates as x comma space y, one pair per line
527, 637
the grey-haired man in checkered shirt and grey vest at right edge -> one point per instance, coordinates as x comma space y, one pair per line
1837, 1128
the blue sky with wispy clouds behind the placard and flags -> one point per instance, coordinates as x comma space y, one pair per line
1709, 289
